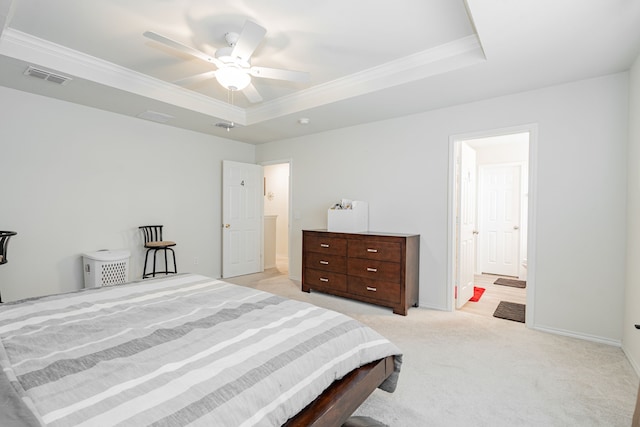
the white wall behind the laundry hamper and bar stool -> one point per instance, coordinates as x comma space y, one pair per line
77, 179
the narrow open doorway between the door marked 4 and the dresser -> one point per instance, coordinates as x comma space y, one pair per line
276, 216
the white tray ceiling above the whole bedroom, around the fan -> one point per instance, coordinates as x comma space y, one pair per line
367, 60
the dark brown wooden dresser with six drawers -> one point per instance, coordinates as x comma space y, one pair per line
378, 268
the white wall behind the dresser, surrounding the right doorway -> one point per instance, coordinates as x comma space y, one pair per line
400, 167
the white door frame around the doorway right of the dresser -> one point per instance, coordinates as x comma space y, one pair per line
454, 142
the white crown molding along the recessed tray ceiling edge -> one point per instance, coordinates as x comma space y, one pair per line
440, 59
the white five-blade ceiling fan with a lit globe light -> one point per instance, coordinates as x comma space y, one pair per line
233, 62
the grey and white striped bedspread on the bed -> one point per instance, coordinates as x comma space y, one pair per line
182, 350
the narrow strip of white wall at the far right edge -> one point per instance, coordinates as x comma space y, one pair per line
631, 338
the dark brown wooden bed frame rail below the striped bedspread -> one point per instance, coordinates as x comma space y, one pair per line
336, 404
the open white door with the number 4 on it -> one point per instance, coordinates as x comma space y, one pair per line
241, 218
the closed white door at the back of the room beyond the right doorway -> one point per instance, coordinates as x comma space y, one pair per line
500, 219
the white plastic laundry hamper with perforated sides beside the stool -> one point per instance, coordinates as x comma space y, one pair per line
103, 268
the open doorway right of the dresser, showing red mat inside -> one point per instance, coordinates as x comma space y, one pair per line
490, 221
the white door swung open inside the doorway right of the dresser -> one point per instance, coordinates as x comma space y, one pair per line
467, 227
